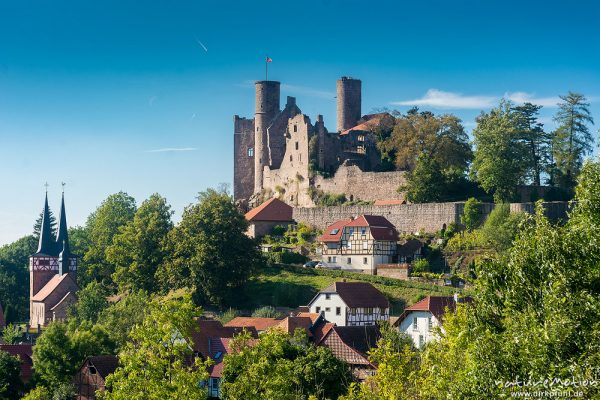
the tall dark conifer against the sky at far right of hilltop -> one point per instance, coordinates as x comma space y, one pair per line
572, 139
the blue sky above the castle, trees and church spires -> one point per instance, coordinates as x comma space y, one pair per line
91, 91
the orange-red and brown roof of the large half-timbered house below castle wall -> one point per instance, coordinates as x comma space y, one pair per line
381, 228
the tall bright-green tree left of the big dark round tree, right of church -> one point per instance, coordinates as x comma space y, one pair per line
139, 248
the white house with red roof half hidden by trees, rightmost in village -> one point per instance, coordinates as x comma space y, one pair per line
420, 320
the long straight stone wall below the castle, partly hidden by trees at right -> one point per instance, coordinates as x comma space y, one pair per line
410, 218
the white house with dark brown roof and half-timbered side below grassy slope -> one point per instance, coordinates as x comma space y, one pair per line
351, 304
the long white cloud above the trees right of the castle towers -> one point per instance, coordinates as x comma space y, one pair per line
439, 99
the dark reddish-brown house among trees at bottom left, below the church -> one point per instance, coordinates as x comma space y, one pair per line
92, 375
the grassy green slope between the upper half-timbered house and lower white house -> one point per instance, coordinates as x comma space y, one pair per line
288, 286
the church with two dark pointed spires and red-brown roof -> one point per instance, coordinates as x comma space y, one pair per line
52, 268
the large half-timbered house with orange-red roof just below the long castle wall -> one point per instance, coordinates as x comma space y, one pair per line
359, 244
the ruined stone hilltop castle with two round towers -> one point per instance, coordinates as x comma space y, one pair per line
280, 153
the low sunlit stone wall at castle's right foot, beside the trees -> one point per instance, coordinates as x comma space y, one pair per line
359, 185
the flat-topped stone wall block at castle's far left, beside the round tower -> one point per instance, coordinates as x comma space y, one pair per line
243, 160
